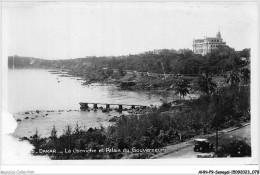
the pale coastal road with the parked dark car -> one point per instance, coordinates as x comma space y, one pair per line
185, 149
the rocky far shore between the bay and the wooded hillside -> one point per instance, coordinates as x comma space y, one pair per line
133, 82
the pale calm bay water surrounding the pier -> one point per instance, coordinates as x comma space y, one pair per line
35, 89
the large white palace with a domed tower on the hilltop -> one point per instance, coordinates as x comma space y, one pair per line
206, 45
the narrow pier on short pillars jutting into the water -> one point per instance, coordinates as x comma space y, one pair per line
84, 105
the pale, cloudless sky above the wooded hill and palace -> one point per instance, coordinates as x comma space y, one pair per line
63, 30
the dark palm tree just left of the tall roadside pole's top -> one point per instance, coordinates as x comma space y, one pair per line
206, 85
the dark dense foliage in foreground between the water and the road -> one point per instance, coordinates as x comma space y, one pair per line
151, 130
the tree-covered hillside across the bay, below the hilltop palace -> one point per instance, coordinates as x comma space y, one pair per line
183, 61
